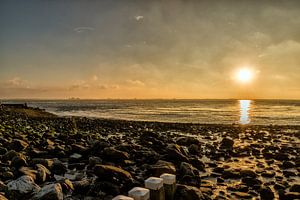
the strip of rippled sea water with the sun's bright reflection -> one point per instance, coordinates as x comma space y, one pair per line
280, 112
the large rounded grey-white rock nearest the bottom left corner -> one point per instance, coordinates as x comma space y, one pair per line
23, 187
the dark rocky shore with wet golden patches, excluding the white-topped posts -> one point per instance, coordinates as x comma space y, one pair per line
43, 156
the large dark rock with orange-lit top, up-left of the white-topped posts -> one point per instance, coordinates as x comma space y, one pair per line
108, 172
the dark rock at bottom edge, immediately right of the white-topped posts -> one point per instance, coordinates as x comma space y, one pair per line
184, 192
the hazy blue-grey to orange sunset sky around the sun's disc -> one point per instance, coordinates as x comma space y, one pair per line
57, 49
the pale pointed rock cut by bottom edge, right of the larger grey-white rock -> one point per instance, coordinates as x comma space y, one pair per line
50, 192
